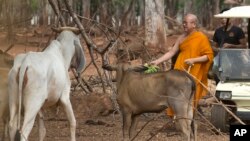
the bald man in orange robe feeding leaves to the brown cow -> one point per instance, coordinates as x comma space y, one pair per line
195, 56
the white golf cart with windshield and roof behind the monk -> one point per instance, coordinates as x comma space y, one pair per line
234, 73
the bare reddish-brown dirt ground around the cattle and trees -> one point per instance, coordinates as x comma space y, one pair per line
91, 126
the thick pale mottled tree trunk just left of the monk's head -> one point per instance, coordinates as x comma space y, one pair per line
155, 34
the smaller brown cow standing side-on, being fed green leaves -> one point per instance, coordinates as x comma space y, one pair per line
143, 93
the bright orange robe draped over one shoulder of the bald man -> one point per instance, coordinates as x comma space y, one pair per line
195, 45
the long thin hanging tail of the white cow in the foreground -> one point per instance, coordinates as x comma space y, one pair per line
21, 85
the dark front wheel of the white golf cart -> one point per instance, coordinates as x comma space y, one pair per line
220, 118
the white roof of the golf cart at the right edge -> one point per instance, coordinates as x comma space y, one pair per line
235, 12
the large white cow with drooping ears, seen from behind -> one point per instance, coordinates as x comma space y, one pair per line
42, 80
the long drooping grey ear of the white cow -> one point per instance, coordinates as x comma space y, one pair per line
80, 60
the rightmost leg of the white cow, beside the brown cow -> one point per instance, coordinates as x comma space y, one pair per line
69, 112
